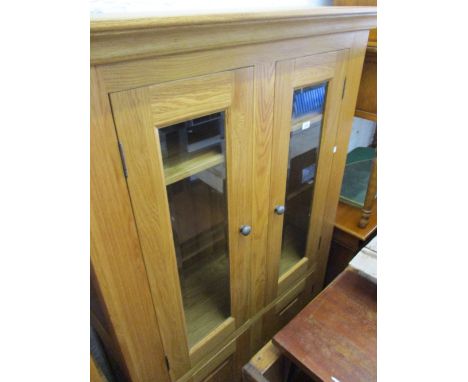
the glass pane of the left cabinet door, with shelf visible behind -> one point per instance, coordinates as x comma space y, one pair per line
194, 166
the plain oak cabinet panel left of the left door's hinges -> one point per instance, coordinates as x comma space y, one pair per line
115, 250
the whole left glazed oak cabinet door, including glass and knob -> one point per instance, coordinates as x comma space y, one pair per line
188, 154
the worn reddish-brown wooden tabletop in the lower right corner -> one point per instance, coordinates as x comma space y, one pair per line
334, 338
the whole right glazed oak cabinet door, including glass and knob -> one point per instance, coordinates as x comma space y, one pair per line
308, 93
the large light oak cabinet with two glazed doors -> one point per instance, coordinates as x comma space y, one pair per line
217, 156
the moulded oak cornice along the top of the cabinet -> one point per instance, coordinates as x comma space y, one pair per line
127, 39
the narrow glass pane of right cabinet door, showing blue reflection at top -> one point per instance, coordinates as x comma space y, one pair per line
306, 127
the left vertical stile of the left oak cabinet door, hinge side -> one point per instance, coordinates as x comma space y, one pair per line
146, 184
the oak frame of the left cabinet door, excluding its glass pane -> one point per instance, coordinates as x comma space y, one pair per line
137, 114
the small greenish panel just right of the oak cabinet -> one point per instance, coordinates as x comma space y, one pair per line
356, 176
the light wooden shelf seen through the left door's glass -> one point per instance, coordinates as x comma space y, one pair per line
182, 166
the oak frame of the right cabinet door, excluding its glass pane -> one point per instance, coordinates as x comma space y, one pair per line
293, 74
